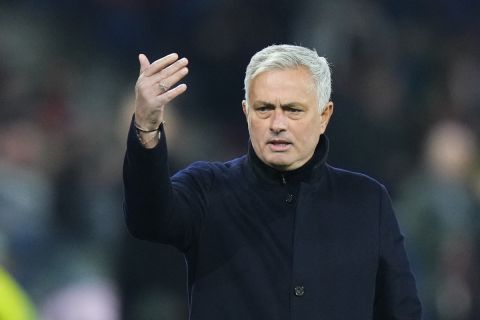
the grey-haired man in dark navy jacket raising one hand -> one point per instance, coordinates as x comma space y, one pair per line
277, 233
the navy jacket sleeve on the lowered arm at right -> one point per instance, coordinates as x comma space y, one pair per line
396, 294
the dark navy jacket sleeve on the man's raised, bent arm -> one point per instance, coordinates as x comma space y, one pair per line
159, 208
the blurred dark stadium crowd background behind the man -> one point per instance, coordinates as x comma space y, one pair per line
406, 88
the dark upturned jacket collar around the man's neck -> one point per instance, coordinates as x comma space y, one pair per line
309, 172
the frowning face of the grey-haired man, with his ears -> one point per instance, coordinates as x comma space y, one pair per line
283, 118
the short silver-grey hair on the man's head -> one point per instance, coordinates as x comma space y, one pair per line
284, 56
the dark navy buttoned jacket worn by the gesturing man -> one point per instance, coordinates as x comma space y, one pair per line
314, 243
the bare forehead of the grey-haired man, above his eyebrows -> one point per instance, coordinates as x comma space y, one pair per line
292, 84
